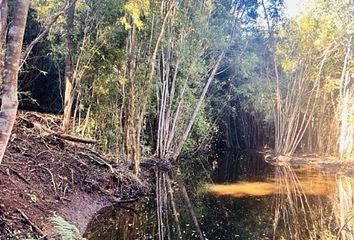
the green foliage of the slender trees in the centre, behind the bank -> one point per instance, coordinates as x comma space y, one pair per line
194, 36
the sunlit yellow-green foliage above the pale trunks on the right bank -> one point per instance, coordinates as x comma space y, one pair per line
312, 47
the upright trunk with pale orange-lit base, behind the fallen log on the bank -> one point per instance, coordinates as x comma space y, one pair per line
69, 68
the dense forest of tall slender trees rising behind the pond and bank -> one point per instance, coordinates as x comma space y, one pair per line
156, 82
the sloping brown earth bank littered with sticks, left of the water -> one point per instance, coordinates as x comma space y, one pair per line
43, 175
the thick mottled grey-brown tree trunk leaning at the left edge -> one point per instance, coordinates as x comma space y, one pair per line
9, 101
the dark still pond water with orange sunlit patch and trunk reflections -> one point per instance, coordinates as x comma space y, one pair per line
245, 199
